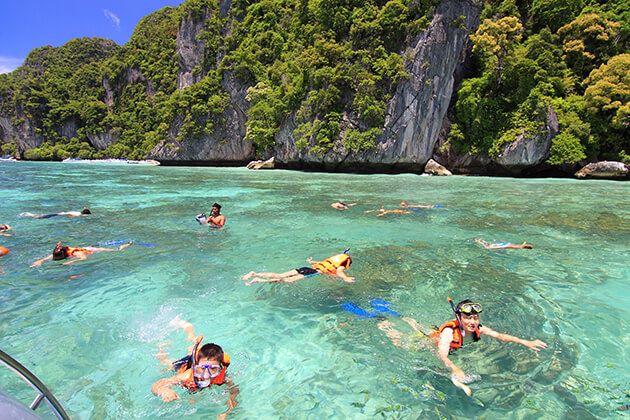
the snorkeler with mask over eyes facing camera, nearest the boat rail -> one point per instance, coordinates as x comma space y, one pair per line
204, 366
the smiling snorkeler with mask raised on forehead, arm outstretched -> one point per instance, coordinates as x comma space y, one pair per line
453, 334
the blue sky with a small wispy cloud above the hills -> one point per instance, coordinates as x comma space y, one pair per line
29, 24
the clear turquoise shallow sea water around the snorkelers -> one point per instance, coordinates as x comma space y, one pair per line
90, 330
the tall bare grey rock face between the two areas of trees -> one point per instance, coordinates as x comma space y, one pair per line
417, 109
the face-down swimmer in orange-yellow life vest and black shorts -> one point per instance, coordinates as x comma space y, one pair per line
332, 266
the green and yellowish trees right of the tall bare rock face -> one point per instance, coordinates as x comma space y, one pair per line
569, 56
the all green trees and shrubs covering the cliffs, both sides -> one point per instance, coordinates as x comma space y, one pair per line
331, 66
